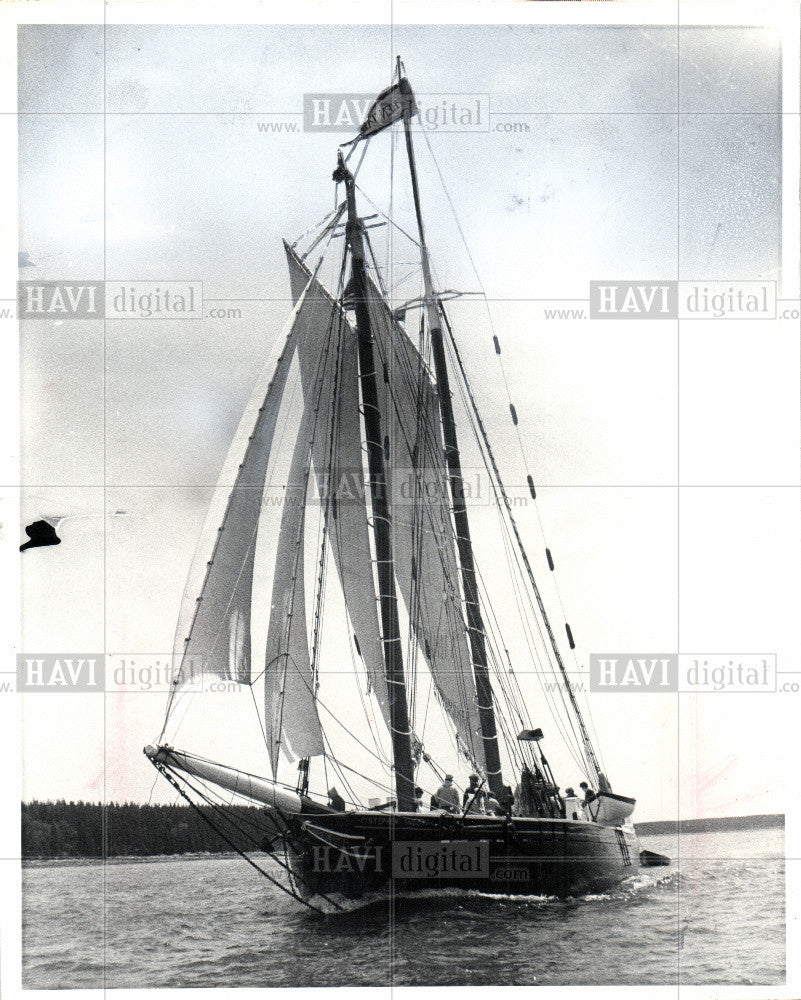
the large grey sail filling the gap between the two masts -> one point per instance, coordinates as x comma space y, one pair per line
424, 540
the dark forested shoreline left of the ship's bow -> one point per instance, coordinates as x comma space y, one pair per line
91, 830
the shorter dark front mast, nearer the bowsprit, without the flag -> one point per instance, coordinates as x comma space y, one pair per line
400, 728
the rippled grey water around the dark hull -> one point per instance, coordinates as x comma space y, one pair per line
718, 917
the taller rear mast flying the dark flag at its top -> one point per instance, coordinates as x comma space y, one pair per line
475, 624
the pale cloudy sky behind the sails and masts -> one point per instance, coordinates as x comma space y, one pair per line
665, 456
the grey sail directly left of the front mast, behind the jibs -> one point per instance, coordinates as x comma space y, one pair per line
337, 459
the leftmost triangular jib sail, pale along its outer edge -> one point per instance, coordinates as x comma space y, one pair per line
213, 633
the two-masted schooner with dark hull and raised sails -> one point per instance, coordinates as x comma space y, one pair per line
359, 399
